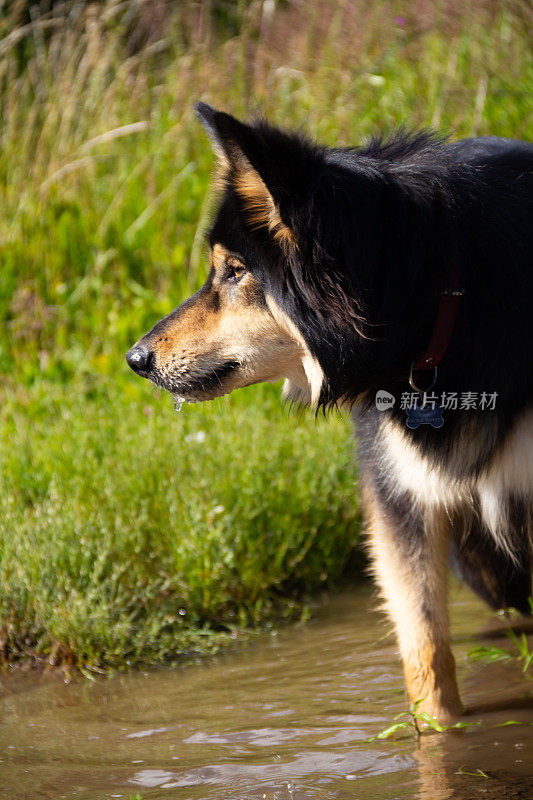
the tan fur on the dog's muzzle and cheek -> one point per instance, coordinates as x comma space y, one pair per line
263, 339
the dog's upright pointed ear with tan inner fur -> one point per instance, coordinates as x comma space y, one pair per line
242, 153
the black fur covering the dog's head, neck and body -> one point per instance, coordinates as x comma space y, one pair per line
377, 228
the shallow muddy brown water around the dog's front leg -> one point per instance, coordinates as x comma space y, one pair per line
284, 718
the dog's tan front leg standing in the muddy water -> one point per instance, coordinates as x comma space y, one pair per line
409, 550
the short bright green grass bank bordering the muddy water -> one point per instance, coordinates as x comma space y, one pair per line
131, 533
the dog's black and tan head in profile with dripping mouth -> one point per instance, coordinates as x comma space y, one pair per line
277, 303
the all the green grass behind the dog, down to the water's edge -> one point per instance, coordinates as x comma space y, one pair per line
118, 515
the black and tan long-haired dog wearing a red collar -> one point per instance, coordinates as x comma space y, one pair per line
381, 272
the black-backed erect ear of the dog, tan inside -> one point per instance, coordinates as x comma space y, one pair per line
251, 160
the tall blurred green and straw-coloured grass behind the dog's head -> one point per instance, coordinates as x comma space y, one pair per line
104, 170
